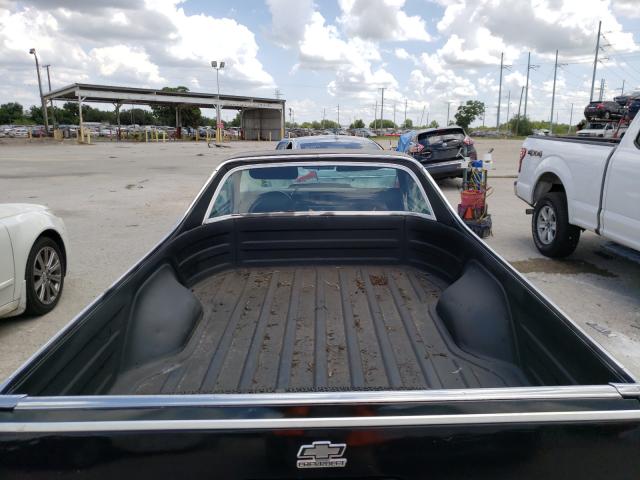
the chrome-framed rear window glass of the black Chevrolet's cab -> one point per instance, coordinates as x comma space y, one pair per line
319, 187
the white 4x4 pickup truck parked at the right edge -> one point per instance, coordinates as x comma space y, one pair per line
577, 184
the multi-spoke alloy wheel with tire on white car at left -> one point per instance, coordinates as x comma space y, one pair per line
44, 276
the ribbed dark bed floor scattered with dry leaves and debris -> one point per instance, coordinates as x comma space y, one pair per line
318, 329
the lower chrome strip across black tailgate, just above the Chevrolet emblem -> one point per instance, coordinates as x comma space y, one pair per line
322, 422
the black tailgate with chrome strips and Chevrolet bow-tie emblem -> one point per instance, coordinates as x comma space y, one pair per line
525, 433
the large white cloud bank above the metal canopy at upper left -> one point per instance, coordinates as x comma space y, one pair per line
149, 44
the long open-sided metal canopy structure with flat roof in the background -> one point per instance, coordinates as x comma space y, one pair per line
264, 117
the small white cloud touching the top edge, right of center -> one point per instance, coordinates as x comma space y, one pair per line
381, 20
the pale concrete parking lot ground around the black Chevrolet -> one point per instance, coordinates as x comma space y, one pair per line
119, 199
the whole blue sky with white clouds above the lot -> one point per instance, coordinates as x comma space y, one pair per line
329, 52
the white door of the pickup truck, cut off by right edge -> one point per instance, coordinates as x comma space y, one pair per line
620, 216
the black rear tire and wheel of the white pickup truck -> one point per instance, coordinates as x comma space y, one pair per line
552, 233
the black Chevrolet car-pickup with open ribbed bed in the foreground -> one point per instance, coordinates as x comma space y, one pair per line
352, 328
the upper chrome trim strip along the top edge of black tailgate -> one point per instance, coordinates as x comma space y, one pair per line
321, 398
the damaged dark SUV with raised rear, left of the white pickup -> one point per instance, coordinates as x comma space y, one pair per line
441, 150
